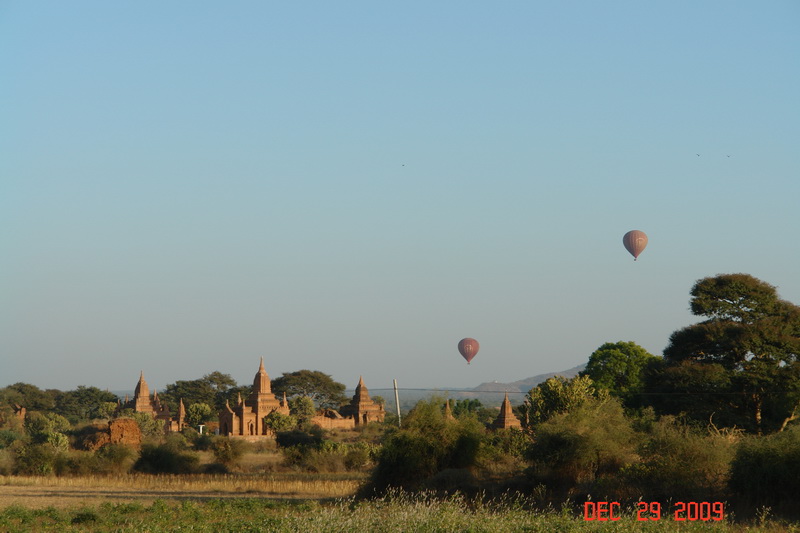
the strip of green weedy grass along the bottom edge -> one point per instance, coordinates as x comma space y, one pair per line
397, 512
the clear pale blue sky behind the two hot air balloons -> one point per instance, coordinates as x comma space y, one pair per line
352, 187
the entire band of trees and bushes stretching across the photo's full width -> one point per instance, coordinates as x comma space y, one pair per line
714, 419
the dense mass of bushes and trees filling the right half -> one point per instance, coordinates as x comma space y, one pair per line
714, 419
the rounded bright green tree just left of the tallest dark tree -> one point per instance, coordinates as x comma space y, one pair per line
619, 368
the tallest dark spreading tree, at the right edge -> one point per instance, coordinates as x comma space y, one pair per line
749, 342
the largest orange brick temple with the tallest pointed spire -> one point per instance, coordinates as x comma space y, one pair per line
246, 418
